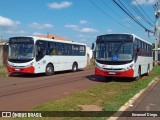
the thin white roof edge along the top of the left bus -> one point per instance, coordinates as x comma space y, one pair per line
49, 39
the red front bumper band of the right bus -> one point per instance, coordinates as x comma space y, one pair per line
128, 73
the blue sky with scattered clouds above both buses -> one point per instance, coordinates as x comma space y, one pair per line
77, 20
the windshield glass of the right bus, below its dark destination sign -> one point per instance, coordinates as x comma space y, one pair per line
114, 51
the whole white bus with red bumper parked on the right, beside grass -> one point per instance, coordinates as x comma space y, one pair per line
123, 55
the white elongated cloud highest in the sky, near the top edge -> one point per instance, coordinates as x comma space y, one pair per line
63, 4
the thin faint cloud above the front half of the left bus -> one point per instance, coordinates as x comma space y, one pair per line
40, 26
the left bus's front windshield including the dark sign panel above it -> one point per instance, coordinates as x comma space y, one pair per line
21, 50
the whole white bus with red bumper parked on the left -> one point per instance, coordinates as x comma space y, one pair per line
44, 55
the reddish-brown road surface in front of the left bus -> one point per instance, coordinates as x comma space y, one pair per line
23, 92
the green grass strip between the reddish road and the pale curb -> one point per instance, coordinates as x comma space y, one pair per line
110, 95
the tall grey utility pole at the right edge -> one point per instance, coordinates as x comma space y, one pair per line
156, 33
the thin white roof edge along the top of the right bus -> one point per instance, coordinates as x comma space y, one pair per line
128, 34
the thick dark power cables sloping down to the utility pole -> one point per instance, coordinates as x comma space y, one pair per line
130, 15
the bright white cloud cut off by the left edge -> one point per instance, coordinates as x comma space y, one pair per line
7, 22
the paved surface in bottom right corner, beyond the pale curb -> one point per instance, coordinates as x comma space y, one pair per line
147, 105
